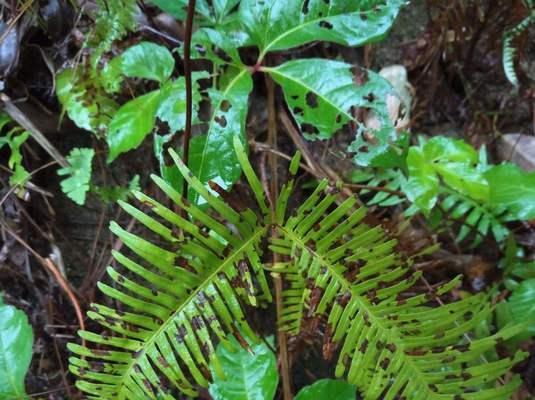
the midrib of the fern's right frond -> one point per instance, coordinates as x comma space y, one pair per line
362, 304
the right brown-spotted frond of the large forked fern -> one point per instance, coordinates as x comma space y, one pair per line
392, 344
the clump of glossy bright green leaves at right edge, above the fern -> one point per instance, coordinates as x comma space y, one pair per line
448, 180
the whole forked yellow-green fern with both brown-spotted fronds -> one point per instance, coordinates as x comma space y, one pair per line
183, 296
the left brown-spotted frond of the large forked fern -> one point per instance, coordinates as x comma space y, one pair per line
177, 296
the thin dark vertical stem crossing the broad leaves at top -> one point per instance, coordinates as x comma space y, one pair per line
189, 96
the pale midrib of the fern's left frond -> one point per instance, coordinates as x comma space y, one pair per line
209, 279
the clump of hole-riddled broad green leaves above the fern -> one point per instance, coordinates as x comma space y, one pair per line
321, 94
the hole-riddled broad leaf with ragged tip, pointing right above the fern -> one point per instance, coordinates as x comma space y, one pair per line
322, 95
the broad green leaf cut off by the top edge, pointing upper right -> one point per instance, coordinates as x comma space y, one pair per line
282, 24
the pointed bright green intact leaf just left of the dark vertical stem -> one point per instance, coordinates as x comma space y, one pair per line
132, 123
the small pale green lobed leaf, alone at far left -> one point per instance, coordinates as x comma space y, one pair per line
76, 185
